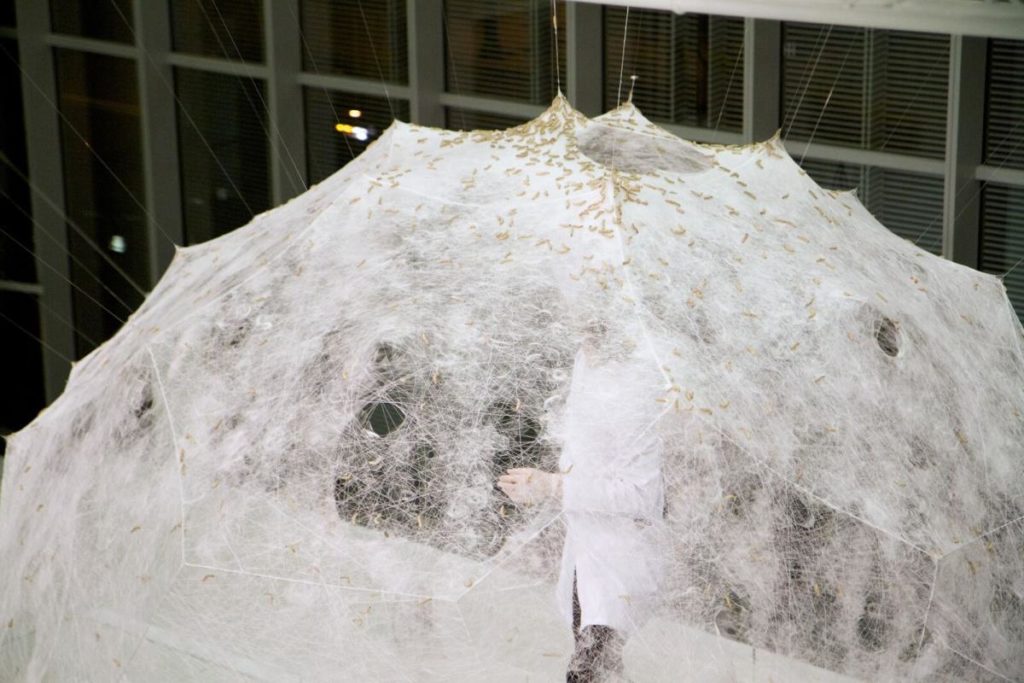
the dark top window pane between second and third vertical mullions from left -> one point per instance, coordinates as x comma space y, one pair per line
228, 29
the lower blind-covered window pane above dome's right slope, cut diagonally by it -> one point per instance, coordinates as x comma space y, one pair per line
909, 204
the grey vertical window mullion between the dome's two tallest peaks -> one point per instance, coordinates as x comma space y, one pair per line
585, 52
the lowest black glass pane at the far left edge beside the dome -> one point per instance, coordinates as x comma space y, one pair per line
22, 361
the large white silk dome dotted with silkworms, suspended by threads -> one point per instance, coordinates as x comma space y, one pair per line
283, 466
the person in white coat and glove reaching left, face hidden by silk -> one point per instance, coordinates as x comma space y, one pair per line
612, 493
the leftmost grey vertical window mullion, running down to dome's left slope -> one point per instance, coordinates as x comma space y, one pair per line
42, 134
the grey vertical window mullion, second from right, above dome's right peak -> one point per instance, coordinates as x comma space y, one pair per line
762, 79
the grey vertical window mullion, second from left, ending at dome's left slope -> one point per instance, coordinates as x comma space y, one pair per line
160, 154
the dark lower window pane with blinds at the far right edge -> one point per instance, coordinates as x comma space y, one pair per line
1003, 239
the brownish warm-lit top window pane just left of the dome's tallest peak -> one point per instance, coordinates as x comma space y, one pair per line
503, 50
